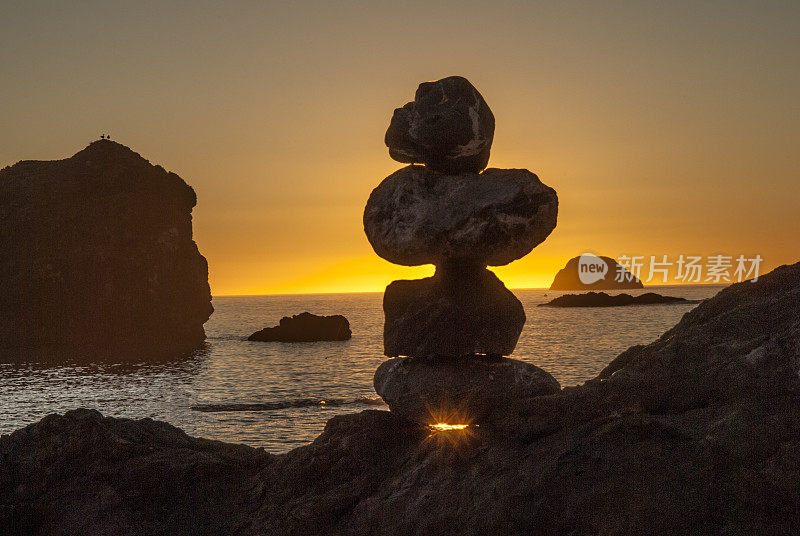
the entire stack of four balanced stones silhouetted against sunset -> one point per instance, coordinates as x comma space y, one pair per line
448, 334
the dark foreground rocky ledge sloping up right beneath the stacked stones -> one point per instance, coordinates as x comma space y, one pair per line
696, 433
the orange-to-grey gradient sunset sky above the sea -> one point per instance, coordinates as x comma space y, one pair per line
666, 127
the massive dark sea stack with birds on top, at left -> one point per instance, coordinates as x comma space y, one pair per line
97, 259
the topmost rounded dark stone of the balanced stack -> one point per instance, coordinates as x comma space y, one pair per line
448, 127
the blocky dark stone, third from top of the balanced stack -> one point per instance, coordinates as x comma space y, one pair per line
457, 312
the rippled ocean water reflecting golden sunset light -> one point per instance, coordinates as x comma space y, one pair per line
279, 395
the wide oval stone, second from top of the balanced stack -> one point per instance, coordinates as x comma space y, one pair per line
418, 216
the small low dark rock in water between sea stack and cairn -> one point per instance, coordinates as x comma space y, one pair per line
306, 327
